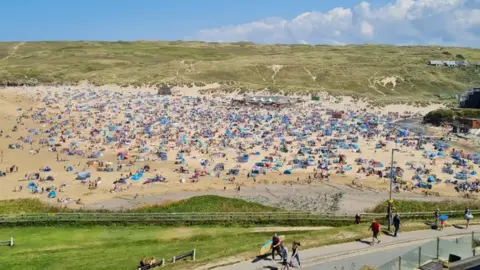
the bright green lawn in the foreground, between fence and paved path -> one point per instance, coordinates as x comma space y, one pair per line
116, 247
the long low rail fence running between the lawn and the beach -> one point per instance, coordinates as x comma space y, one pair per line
201, 217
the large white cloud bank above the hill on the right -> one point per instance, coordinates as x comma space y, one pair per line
447, 22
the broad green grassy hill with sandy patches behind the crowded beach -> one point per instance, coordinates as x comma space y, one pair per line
374, 71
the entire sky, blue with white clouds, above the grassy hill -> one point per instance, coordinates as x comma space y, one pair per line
339, 22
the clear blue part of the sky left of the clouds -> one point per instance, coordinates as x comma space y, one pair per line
142, 19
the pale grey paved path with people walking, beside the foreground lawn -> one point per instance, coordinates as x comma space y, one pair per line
360, 252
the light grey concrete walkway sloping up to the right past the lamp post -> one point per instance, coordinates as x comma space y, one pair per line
322, 255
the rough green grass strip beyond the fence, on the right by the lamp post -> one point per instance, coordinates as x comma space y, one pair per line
406, 206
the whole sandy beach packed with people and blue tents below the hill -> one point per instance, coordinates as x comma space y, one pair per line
117, 148
